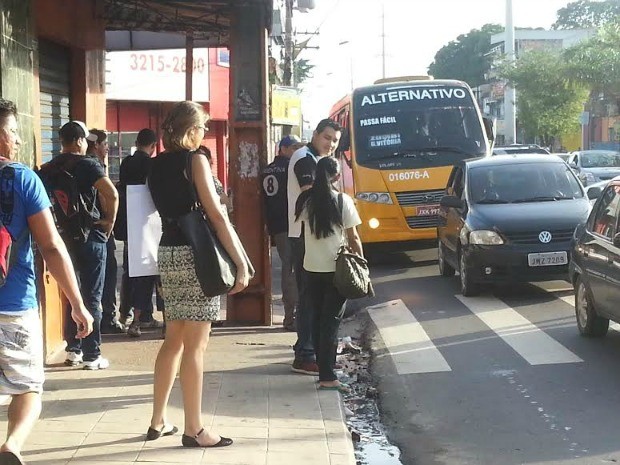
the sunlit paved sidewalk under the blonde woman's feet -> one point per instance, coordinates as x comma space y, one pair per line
275, 417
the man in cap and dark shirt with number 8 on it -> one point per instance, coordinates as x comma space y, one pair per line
274, 180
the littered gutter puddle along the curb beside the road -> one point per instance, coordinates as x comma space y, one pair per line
372, 446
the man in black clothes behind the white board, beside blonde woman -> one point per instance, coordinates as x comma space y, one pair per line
136, 292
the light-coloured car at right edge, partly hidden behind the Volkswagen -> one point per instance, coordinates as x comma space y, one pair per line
595, 165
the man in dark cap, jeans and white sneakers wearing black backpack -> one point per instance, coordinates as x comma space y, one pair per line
88, 258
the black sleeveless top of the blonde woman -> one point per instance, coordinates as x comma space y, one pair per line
171, 192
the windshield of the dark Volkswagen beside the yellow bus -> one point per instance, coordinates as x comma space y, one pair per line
523, 182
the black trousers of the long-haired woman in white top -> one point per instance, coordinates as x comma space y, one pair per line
328, 307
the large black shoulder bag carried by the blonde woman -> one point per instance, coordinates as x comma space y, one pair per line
215, 270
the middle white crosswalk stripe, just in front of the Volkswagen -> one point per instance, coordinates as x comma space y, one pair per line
531, 343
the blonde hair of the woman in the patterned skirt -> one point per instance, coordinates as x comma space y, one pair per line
182, 118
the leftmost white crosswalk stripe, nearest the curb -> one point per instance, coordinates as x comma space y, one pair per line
408, 344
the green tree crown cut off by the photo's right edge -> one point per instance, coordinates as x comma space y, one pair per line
596, 62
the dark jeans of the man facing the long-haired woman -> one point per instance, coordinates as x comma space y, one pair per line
304, 349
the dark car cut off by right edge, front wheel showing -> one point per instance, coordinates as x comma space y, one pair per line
595, 264
